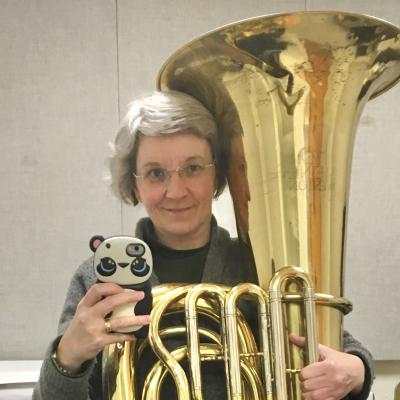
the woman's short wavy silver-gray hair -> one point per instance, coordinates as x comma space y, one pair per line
159, 114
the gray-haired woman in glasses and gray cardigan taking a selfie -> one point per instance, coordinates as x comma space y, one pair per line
166, 157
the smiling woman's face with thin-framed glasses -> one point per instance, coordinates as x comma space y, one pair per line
180, 206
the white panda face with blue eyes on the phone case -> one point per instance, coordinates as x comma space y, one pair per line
123, 260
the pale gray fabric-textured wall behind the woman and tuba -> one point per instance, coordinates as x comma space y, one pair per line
67, 71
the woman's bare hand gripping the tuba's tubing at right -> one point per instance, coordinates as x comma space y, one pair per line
335, 375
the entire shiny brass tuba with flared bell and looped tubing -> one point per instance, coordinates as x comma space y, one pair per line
287, 92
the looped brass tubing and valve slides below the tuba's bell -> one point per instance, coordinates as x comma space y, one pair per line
235, 343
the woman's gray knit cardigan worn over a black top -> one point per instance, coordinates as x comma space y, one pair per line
224, 265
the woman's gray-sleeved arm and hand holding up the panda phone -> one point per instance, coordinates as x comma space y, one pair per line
82, 337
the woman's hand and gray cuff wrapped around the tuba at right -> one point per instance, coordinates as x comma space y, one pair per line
337, 374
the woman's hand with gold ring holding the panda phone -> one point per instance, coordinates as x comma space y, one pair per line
85, 336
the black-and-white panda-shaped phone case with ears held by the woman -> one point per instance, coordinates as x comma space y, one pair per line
126, 261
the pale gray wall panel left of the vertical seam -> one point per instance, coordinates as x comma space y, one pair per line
58, 108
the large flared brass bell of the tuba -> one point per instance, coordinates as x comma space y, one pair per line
288, 91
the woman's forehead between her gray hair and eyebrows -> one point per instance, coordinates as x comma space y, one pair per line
172, 149
